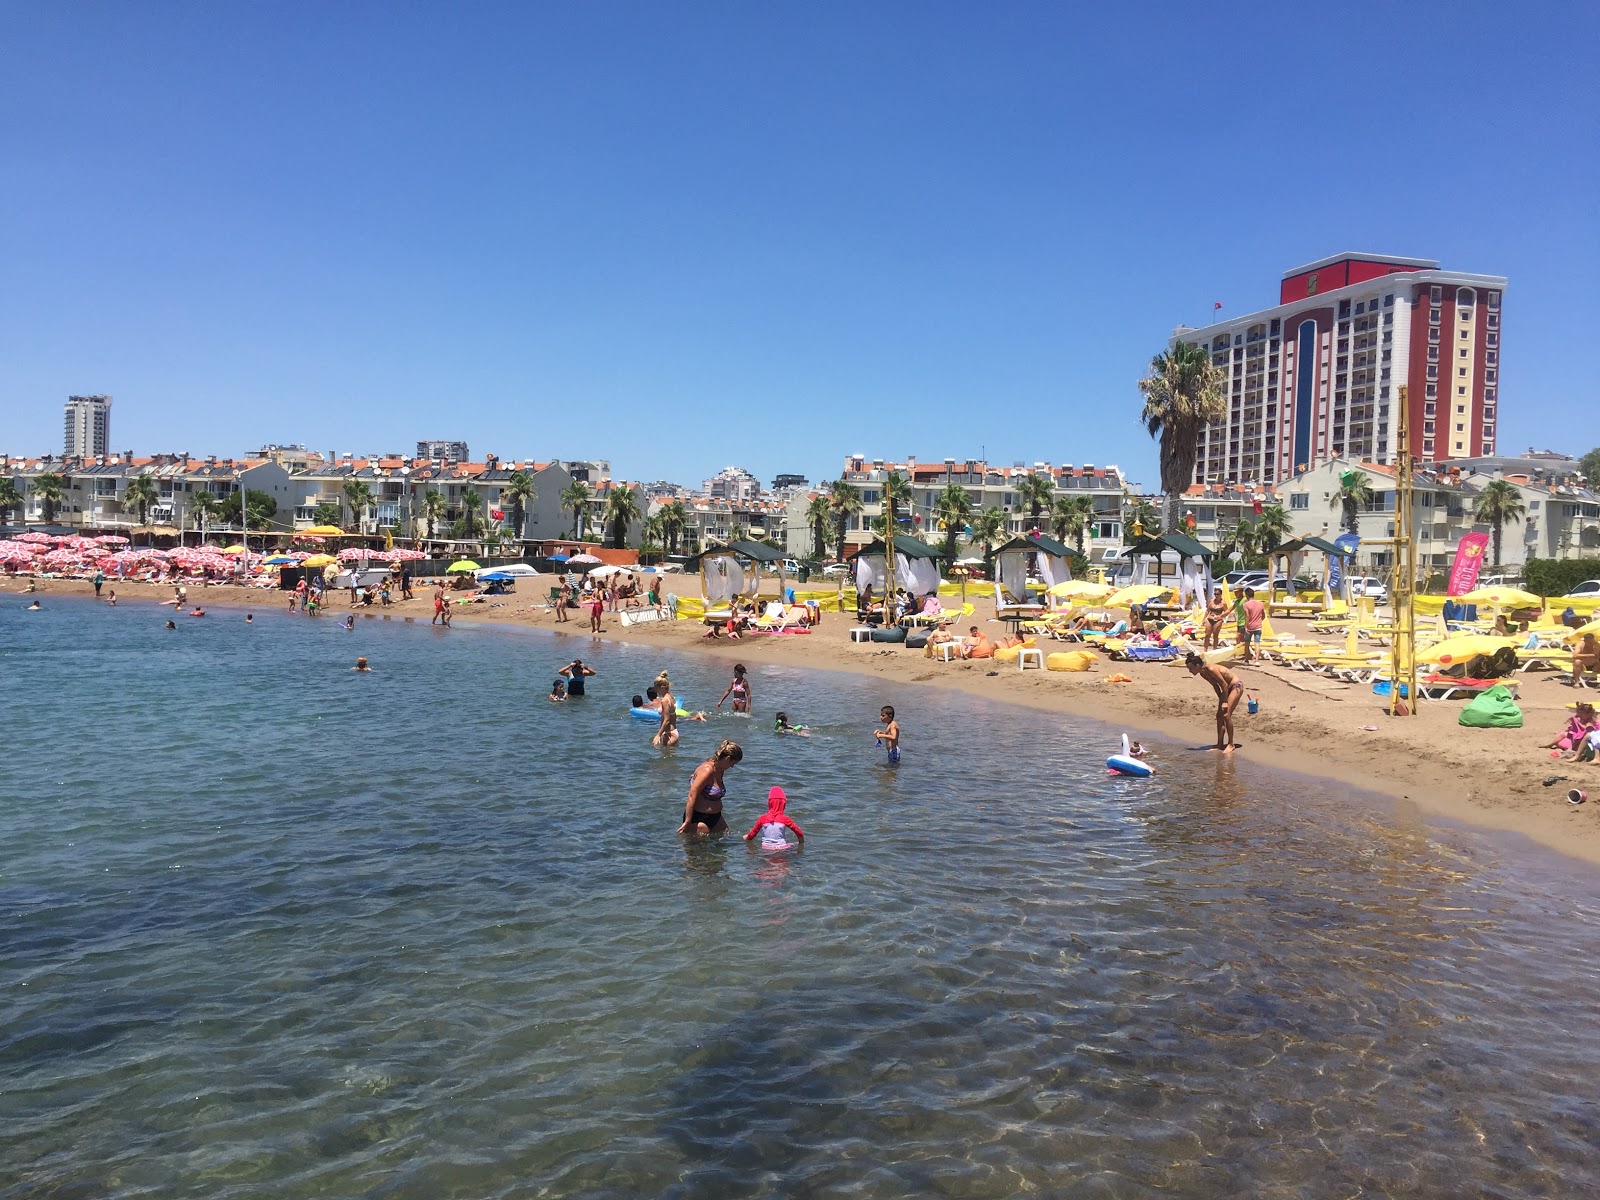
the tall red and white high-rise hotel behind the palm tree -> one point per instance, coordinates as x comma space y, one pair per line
1319, 377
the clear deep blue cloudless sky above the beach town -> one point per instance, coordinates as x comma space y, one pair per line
684, 236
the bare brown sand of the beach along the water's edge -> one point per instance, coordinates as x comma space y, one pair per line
1308, 726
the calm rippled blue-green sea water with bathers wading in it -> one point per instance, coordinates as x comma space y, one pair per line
273, 929
